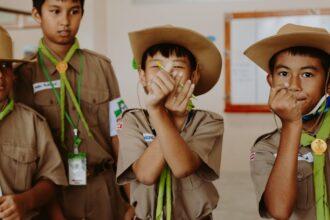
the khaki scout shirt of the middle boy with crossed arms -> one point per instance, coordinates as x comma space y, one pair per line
194, 197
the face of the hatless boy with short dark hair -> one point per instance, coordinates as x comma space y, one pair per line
59, 20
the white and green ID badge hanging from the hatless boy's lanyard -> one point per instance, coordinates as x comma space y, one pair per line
77, 169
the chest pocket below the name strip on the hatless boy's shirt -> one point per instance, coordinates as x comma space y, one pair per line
46, 104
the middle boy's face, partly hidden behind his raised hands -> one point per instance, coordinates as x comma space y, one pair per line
172, 65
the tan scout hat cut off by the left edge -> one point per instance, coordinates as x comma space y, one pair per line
6, 47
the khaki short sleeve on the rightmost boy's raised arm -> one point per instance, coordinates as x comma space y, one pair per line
261, 163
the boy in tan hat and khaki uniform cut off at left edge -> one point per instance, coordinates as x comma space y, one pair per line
30, 164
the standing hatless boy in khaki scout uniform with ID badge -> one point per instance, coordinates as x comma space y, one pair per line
77, 92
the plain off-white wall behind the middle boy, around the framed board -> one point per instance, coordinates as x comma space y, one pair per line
208, 18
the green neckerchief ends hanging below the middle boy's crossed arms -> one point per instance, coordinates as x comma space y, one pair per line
164, 182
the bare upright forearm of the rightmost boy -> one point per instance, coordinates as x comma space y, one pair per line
281, 190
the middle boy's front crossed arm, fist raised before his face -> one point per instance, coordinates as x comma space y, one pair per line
180, 158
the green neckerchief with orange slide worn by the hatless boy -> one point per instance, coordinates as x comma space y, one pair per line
61, 67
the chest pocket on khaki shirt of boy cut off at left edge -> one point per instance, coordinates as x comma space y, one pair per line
19, 164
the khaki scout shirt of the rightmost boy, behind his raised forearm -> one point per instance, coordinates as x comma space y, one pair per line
263, 155
